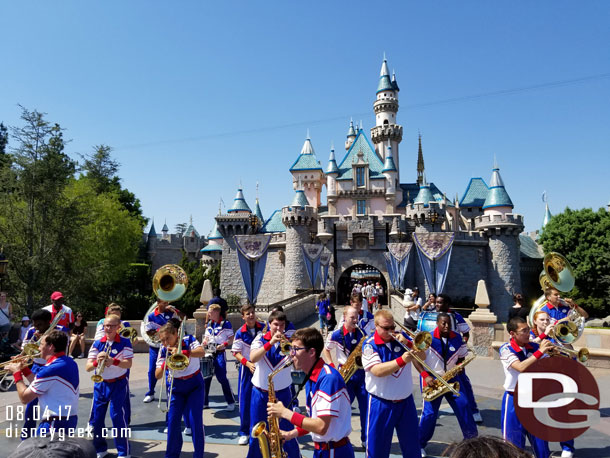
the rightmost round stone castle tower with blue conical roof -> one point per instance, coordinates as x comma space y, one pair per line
501, 228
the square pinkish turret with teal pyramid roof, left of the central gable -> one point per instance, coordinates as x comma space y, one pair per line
307, 174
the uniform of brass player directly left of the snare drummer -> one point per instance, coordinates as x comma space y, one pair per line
188, 392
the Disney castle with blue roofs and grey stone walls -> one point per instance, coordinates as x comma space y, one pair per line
450, 243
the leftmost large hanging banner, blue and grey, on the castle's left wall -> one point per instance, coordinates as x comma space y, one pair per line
252, 255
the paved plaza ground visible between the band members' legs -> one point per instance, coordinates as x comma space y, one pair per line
221, 427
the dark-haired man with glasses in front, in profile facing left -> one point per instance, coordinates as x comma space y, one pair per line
327, 400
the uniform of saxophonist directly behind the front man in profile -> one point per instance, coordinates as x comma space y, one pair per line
270, 361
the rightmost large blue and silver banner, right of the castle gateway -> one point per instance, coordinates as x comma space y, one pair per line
434, 249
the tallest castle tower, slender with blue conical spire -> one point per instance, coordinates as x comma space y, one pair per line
386, 130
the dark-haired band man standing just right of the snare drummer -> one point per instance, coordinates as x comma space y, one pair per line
241, 350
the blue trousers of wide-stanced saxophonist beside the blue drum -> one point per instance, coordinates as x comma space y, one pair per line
462, 411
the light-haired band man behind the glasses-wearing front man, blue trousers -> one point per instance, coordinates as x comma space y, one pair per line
341, 343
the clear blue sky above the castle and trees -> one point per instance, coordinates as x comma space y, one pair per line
195, 96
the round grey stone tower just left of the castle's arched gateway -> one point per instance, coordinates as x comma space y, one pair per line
300, 222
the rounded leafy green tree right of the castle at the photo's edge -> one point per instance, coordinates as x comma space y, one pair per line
583, 237
